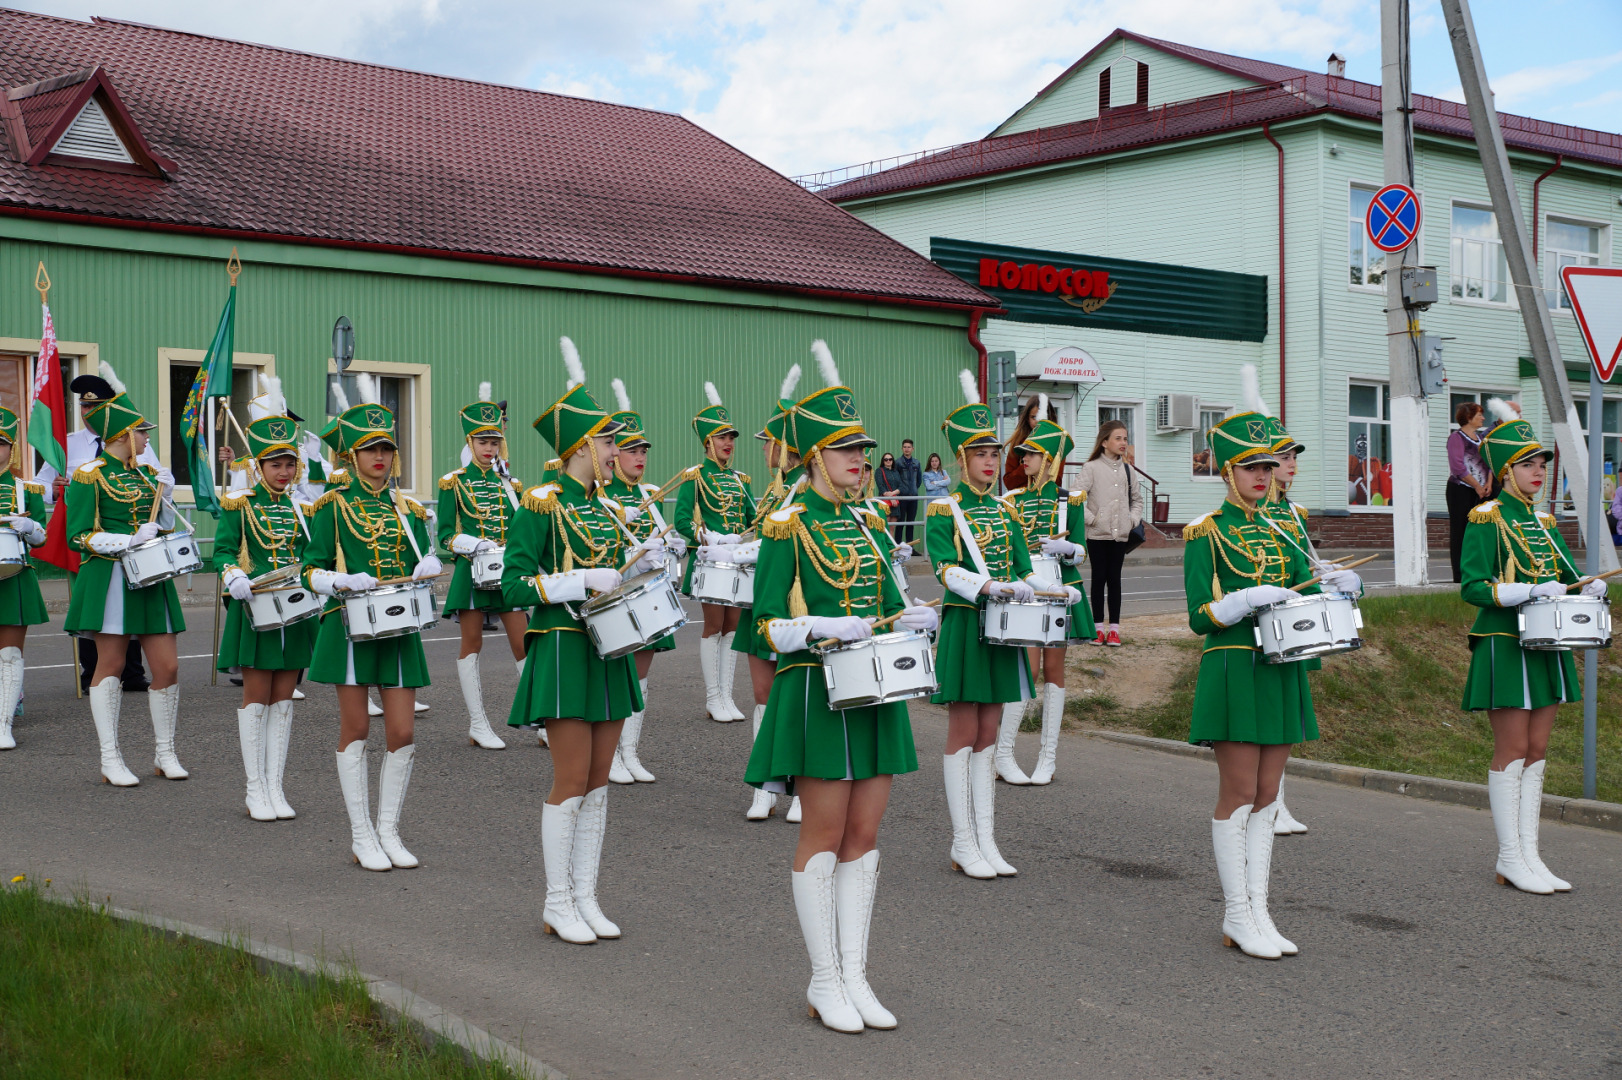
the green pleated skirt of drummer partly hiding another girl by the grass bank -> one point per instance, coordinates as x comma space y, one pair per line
1240, 698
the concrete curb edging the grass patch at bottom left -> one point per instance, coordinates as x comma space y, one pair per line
423, 1018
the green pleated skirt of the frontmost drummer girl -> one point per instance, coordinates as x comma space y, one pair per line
802, 737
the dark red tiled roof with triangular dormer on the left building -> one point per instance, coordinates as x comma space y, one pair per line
311, 148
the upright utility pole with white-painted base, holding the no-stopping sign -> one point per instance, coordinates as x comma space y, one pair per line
1410, 411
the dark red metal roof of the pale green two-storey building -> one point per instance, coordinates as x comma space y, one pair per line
1298, 95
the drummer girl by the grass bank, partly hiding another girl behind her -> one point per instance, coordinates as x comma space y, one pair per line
1253, 713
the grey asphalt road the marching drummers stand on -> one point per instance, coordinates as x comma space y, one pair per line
1102, 959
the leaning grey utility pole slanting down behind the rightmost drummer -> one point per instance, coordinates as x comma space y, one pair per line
1524, 268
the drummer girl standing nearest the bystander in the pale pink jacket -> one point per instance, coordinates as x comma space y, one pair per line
1053, 523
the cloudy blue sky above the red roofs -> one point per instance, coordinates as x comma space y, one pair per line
809, 85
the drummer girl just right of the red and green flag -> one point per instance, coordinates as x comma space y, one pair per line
114, 505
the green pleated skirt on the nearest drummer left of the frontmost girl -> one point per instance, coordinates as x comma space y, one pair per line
567, 680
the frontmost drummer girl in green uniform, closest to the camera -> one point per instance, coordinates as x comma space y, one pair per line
823, 575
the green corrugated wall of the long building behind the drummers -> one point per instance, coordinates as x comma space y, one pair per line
663, 341
